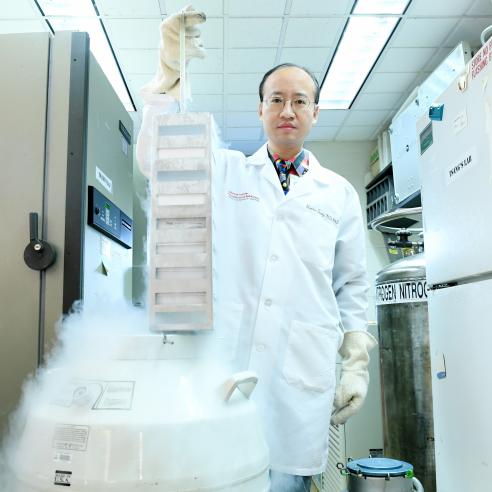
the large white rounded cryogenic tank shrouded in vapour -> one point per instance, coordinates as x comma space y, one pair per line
157, 417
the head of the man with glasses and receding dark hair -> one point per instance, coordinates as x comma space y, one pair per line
285, 126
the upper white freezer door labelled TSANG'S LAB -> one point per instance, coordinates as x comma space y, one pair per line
456, 170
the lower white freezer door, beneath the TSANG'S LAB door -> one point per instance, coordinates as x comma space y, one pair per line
460, 341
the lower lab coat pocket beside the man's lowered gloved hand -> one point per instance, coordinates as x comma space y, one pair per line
310, 356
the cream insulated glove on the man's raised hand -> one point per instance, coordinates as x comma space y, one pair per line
167, 76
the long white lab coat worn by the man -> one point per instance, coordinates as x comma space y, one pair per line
289, 279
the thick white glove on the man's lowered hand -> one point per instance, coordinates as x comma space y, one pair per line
354, 380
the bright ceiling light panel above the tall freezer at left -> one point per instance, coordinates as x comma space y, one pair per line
80, 15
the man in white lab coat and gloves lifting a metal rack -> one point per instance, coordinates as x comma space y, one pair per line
289, 268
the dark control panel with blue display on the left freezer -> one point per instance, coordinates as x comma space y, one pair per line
107, 218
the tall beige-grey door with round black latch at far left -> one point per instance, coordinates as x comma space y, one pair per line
23, 96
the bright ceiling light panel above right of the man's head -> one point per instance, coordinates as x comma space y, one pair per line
362, 42
